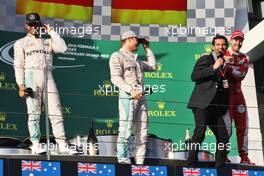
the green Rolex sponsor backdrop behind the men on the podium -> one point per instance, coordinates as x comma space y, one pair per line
83, 81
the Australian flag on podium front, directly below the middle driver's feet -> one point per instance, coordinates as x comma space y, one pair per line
141, 170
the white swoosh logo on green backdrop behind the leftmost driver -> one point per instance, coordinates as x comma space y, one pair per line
7, 58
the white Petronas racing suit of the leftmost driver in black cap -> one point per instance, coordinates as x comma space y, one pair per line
32, 57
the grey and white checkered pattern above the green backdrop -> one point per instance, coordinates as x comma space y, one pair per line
204, 19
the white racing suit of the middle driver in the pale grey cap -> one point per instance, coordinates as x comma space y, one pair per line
127, 72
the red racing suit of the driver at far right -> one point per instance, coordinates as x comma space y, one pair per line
236, 71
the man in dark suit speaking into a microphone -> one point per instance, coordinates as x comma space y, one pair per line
209, 101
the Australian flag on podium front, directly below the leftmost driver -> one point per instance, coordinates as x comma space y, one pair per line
40, 168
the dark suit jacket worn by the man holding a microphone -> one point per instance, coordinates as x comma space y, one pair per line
207, 82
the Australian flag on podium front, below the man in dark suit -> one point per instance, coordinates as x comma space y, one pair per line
199, 172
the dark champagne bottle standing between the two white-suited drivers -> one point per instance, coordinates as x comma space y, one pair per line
92, 142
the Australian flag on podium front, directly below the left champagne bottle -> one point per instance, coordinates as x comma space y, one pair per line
93, 169
